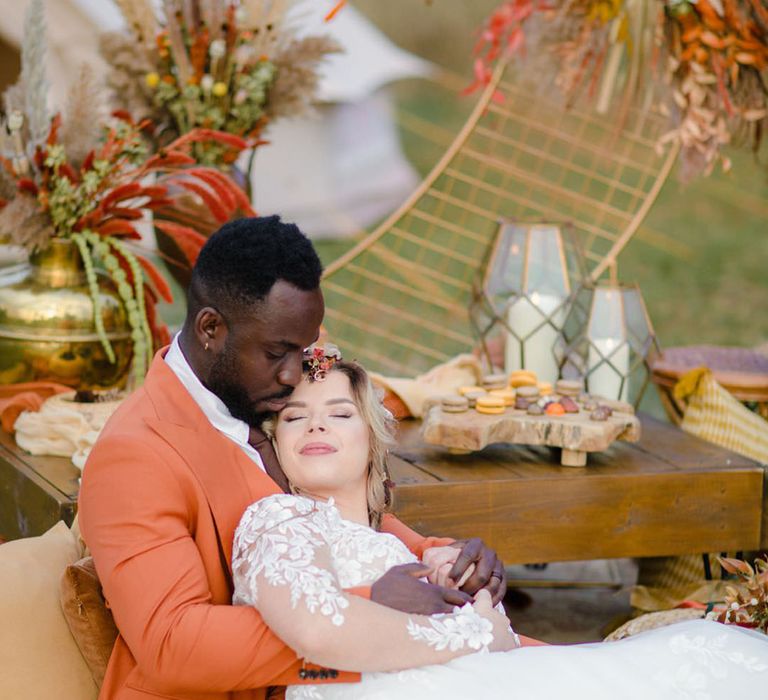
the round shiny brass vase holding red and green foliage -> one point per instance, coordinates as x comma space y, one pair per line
47, 331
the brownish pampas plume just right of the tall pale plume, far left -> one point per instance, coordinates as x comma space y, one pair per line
81, 127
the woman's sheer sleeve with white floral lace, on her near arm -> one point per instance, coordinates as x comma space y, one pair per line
283, 565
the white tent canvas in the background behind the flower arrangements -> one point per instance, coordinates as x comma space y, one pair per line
334, 173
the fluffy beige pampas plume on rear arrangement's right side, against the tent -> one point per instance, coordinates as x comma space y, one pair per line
295, 88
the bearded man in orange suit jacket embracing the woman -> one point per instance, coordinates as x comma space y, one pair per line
179, 462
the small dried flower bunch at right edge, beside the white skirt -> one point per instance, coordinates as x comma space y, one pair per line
746, 603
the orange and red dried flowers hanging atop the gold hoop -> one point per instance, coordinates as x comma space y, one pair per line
708, 57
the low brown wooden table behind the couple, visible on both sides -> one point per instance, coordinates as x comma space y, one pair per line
670, 493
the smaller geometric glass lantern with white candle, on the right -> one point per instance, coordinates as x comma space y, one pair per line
608, 340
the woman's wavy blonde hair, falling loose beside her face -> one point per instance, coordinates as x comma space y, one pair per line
381, 429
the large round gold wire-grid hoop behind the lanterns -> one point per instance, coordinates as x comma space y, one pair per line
398, 301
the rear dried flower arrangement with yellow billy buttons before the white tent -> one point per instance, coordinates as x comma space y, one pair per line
229, 65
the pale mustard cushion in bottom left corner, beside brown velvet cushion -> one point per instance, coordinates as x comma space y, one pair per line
39, 659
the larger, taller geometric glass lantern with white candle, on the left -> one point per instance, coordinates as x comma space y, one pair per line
521, 297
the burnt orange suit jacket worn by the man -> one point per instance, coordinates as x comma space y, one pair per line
161, 496
